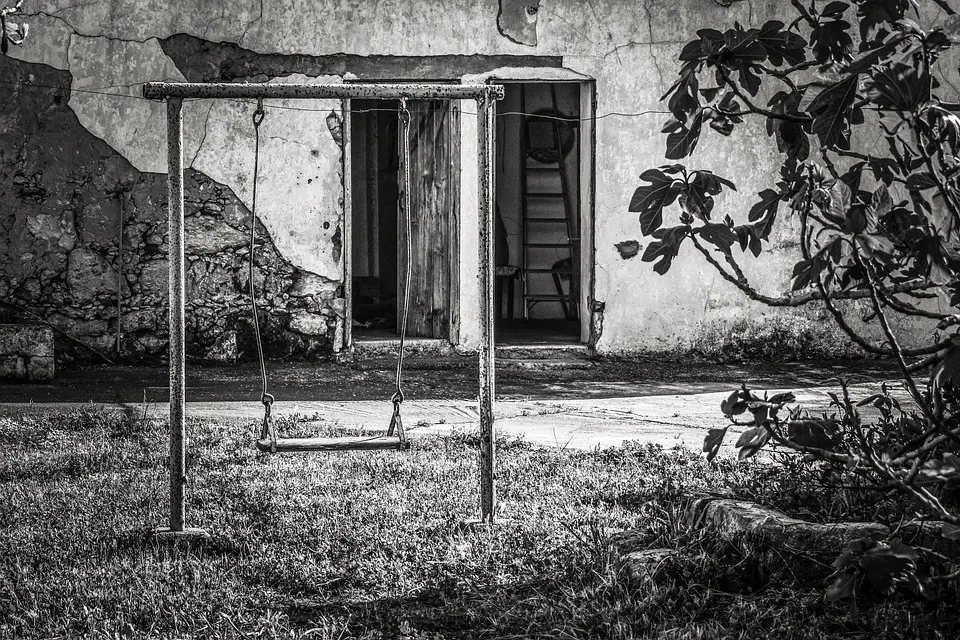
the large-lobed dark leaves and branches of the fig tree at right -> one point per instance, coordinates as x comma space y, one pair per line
878, 224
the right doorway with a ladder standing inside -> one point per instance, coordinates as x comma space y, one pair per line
539, 213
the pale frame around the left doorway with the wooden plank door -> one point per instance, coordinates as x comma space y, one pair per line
346, 341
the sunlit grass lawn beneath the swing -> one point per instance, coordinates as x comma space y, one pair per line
369, 545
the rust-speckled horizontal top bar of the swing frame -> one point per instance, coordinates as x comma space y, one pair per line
163, 90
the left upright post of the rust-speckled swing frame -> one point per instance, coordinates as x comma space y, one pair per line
177, 322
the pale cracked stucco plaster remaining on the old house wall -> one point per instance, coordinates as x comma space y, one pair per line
629, 48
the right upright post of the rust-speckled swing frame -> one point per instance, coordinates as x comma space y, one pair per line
486, 123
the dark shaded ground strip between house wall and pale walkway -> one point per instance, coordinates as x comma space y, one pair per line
437, 379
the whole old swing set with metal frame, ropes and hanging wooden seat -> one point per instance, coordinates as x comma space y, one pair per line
268, 441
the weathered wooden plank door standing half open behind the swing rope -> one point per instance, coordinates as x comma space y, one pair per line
434, 215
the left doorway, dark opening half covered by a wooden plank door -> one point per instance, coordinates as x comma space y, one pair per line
378, 242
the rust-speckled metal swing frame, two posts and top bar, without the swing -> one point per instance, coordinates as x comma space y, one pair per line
174, 94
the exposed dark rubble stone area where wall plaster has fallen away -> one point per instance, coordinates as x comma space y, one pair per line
67, 195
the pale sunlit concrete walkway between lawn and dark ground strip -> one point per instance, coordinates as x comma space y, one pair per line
669, 420
